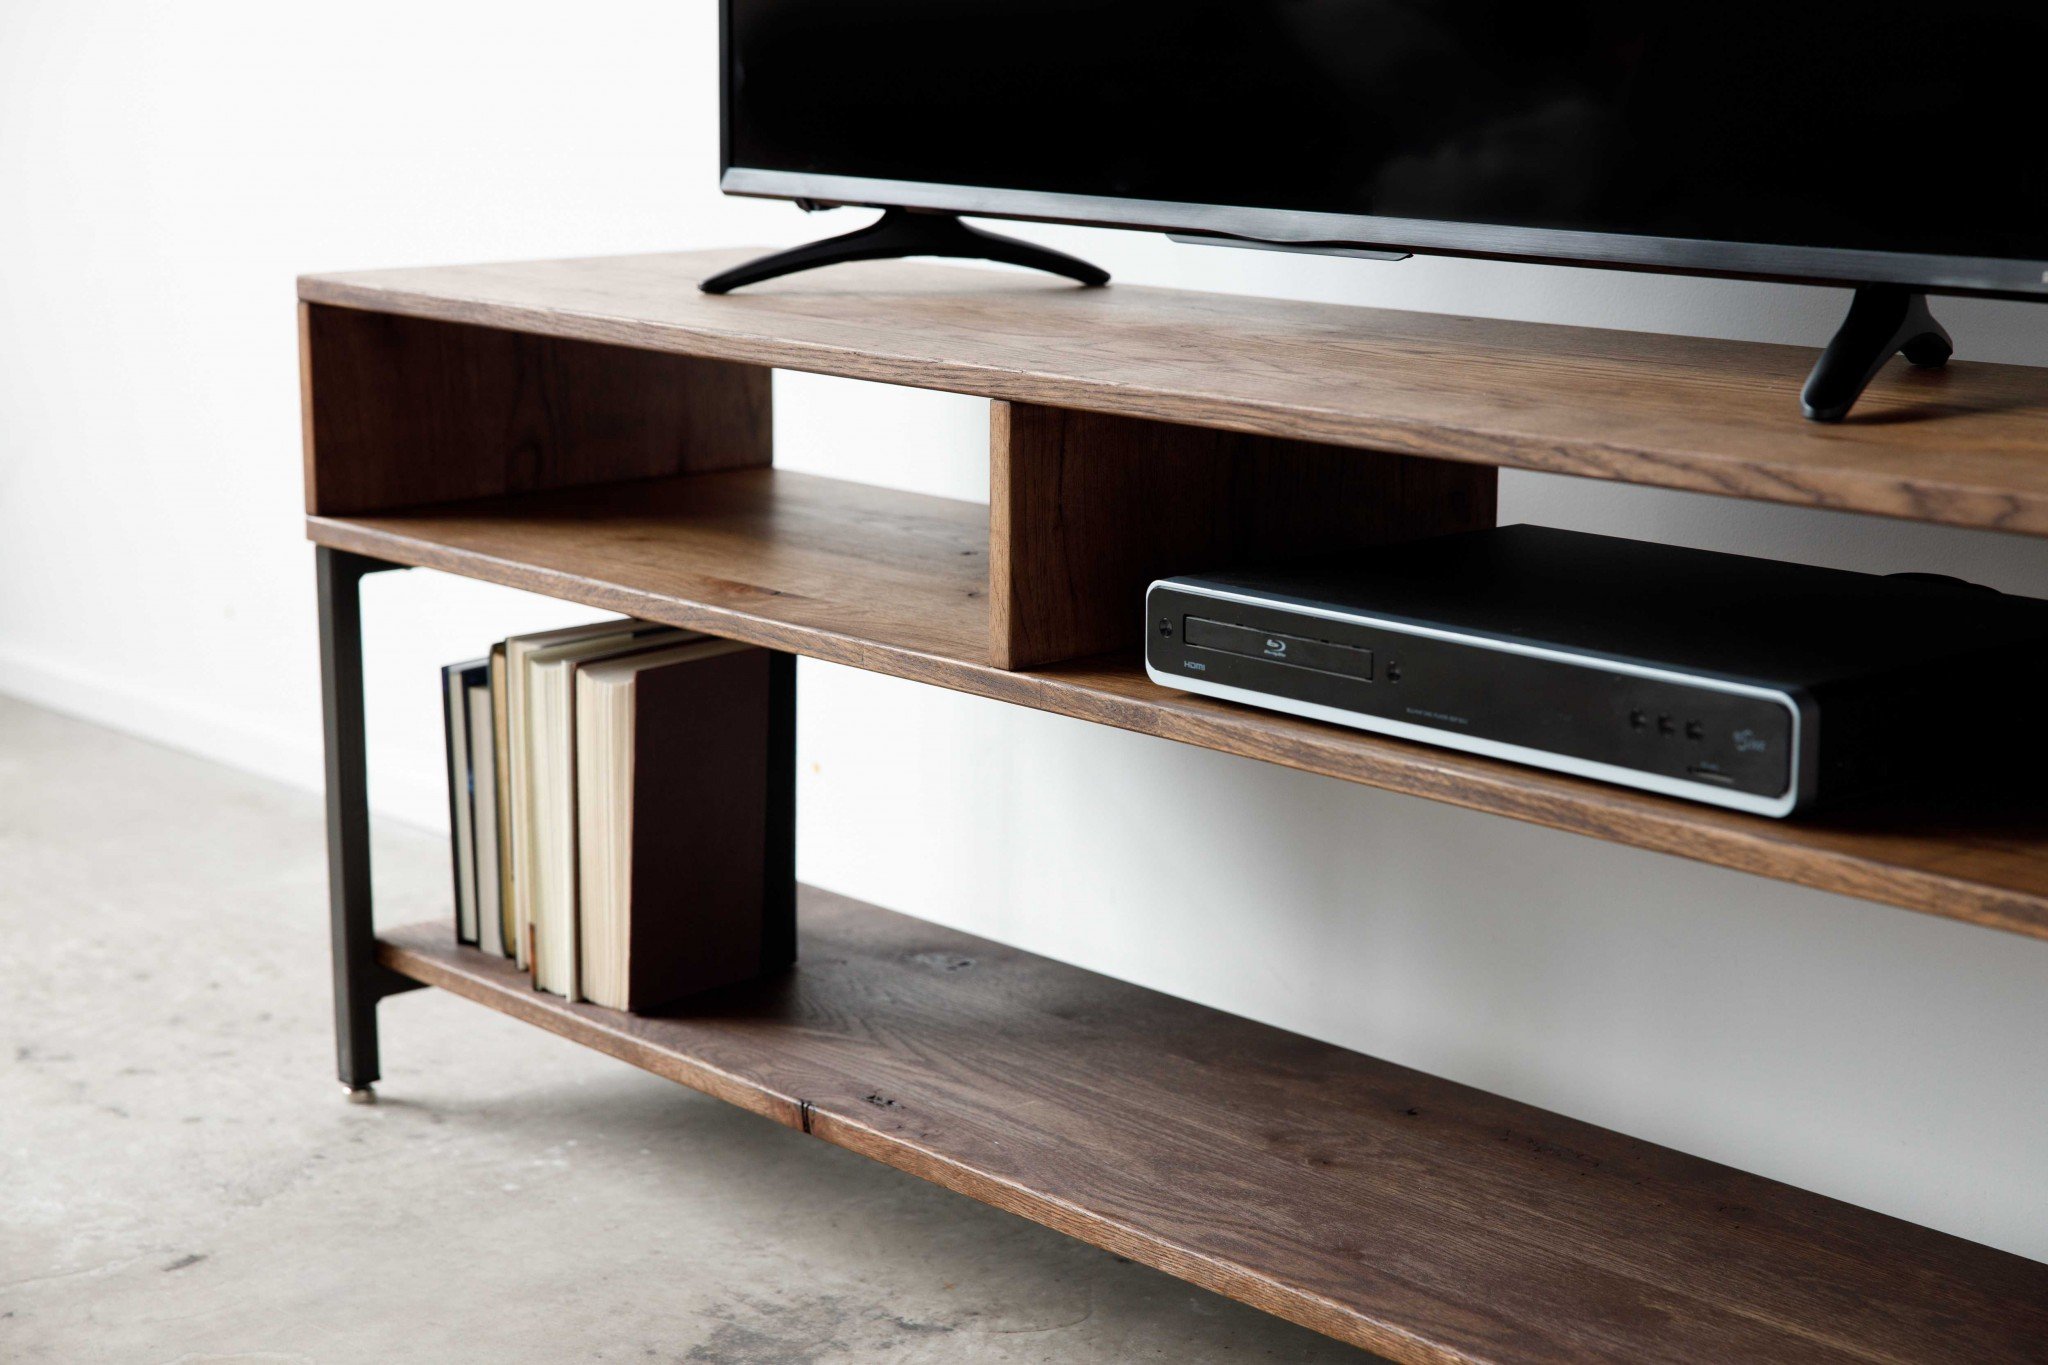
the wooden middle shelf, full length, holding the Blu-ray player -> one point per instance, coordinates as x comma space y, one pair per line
898, 584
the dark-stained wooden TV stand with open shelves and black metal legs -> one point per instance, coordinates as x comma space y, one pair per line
599, 431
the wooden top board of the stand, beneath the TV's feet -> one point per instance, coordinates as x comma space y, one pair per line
1963, 447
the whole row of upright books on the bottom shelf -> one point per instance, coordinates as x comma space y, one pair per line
609, 799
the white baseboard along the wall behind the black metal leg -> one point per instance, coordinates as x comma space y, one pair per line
214, 734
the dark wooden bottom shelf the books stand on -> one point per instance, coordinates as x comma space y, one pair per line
1412, 1217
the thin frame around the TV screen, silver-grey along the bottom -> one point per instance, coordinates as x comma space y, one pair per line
1992, 277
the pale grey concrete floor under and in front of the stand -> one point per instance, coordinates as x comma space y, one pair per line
183, 1182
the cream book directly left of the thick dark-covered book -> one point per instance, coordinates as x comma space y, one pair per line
548, 869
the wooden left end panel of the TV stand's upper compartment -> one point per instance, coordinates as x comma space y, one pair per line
407, 410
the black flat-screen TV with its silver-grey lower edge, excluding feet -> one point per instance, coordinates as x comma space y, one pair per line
1869, 144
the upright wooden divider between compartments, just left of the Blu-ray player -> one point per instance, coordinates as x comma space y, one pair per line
1086, 511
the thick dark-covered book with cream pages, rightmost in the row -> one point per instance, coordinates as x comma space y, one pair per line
673, 822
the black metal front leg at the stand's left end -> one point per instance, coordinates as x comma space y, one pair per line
359, 979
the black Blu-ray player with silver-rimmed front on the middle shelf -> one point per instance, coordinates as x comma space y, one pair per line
1742, 682
